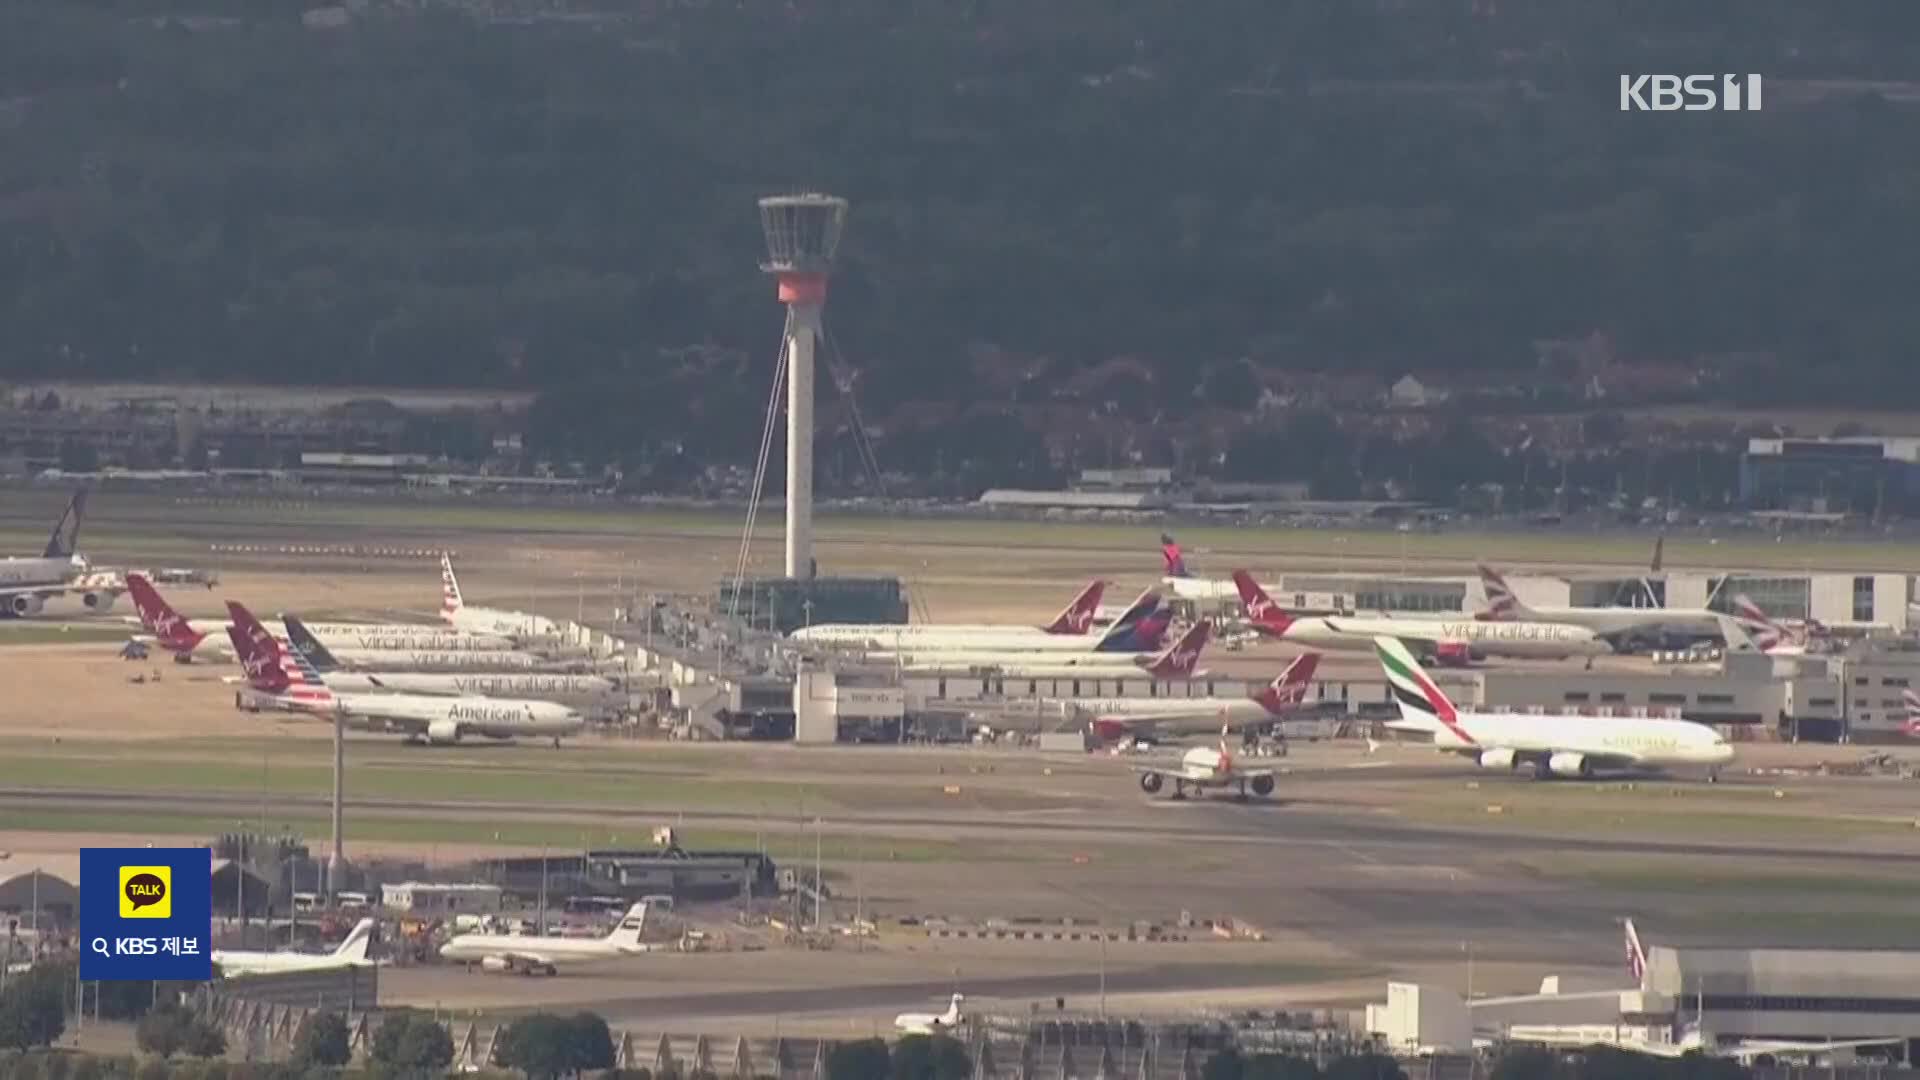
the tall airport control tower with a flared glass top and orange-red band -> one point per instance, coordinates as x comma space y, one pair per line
802, 237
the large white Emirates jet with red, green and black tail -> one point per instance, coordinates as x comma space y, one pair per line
1552, 745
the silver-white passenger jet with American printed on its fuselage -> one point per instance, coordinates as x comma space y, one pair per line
427, 718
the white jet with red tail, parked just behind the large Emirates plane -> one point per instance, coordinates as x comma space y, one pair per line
1447, 641
